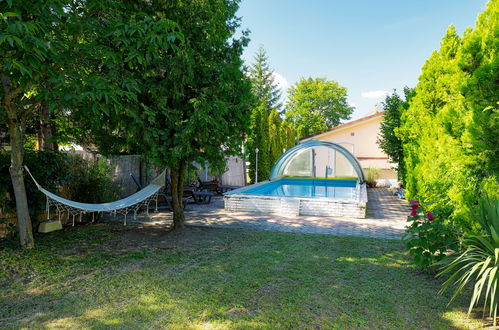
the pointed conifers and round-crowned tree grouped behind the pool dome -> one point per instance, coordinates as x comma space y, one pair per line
312, 105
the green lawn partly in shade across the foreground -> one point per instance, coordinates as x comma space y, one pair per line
106, 275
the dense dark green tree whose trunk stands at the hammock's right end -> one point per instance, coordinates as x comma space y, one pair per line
192, 104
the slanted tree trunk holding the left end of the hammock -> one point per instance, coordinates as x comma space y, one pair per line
16, 132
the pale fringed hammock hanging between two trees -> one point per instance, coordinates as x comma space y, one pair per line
124, 206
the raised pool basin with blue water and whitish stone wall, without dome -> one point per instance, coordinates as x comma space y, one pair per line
294, 197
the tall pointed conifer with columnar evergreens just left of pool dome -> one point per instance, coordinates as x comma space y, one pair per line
267, 132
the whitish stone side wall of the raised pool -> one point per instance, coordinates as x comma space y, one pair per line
235, 201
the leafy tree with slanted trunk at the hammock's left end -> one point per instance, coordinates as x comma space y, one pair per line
73, 57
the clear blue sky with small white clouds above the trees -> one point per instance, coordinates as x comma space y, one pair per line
370, 47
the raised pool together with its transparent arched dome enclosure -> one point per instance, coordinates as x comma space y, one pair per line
312, 178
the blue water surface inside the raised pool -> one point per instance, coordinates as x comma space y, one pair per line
341, 189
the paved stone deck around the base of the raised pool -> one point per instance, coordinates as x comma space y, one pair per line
386, 218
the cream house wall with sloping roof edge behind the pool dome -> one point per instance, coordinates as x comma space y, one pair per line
359, 137
